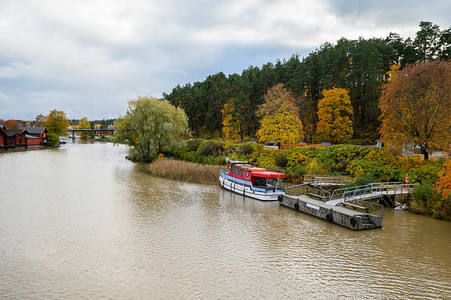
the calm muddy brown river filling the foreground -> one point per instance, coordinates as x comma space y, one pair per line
83, 222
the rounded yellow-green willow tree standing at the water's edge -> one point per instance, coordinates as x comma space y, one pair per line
150, 127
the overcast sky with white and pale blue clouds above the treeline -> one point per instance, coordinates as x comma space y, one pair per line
88, 57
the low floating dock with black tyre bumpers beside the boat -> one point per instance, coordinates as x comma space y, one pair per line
352, 216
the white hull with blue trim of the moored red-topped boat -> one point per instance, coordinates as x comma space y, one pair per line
247, 190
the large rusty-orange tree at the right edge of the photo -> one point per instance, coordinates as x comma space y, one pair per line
416, 107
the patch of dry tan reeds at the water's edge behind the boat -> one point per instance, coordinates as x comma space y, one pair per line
185, 171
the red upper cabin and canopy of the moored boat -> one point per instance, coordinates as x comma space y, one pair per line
259, 177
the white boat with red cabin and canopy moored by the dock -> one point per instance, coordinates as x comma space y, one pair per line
247, 180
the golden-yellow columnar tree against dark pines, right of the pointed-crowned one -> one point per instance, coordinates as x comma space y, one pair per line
335, 116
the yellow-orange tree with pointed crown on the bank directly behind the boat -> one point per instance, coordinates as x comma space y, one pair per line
280, 117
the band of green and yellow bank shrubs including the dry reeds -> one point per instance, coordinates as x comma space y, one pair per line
200, 160
